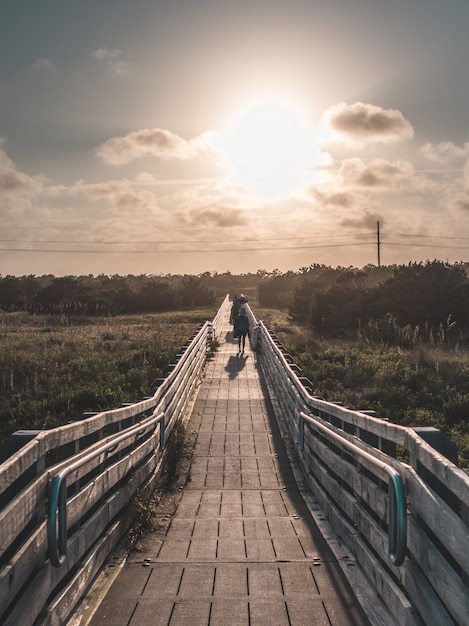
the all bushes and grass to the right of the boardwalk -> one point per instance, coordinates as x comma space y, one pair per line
394, 340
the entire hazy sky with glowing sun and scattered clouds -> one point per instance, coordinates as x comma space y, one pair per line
193, 136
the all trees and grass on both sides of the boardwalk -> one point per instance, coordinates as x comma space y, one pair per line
391, 339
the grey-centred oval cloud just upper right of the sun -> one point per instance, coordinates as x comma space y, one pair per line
366, 123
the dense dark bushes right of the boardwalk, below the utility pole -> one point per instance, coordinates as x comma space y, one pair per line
398, 304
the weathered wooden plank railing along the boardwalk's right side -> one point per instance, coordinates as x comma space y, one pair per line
333, 445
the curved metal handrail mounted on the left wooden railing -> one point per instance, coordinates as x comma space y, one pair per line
57, 524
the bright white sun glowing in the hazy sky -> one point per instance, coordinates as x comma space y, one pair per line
268, 149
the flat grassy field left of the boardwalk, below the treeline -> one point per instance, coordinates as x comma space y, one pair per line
53, 368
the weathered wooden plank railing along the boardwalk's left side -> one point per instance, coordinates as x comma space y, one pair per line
64, 492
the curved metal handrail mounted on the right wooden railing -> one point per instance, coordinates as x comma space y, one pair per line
397, 519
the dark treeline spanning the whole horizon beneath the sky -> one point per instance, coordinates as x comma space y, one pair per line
396, 304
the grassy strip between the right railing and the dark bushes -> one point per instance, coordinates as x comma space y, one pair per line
424, 386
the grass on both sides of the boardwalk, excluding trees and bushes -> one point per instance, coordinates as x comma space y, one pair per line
55, 368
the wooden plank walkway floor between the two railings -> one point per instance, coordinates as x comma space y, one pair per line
240, 547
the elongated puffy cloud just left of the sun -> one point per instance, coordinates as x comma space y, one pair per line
155, 142
